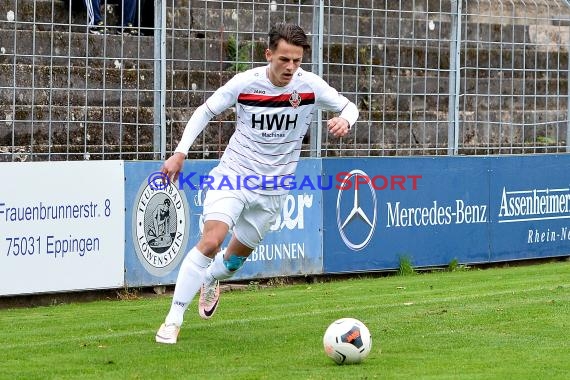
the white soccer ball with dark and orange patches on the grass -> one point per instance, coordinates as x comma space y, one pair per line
347, 341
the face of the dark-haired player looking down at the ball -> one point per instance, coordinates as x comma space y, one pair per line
283, 62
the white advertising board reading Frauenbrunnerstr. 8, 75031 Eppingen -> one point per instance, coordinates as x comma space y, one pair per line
61, 226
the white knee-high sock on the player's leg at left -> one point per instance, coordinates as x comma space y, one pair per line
189, 281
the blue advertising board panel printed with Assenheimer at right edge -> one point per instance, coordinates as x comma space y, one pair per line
530, 207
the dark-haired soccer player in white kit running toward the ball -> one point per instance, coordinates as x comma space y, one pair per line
274, 105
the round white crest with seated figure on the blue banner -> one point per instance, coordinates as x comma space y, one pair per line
160, 232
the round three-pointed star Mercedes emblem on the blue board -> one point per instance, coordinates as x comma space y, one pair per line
356, 213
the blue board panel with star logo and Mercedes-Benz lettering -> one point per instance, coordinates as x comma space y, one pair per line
426, 209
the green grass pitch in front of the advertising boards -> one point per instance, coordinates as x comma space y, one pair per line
501, 323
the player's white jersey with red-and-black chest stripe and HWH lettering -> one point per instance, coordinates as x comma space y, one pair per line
271, 121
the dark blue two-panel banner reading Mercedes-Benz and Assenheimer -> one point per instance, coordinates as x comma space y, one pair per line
435, 210
